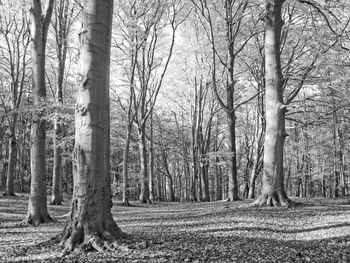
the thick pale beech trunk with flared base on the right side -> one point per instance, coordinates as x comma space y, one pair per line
272, 192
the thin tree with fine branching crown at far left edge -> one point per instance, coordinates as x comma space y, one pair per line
15, 35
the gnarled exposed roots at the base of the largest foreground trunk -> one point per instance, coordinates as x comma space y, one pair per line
109, 239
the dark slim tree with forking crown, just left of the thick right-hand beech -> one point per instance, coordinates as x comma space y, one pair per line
233, 14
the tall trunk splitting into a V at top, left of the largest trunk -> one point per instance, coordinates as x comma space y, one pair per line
37, 206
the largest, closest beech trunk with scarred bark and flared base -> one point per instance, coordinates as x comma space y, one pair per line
91, 222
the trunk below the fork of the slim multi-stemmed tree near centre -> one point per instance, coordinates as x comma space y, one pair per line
144, 191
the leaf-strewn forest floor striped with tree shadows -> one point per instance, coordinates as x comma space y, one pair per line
318, 230
